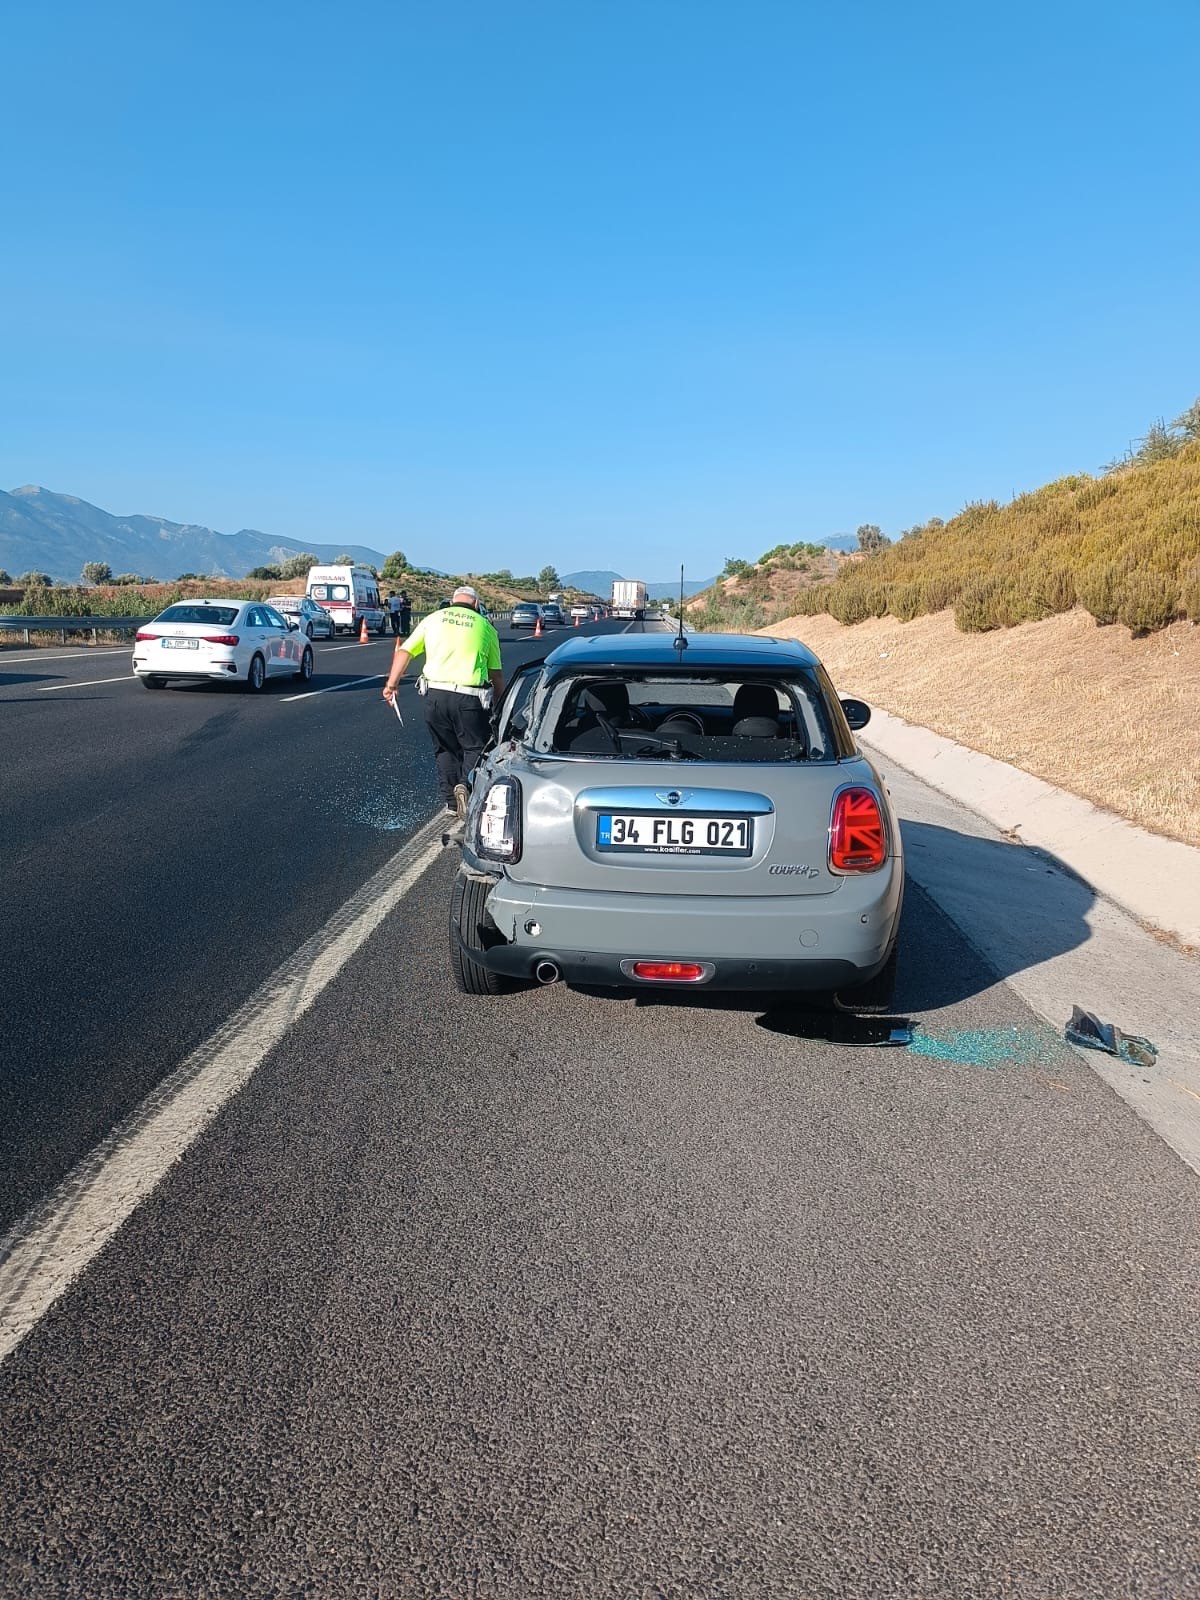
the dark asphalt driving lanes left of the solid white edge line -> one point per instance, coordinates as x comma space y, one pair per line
162, 854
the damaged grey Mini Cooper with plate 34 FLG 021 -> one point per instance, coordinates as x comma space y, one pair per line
679, 814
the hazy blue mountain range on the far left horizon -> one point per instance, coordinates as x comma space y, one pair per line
58, 535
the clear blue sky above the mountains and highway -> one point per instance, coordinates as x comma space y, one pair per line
601, 286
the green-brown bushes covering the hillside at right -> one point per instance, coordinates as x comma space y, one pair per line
1124, 546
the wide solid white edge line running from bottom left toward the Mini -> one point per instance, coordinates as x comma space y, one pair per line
50, 1247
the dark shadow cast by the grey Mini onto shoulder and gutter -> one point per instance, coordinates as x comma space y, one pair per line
1023, 906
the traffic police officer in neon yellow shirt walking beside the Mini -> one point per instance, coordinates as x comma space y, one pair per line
462, 682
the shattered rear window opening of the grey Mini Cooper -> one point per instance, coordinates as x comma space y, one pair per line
684, 718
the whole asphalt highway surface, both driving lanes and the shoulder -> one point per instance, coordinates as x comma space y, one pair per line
551, 1295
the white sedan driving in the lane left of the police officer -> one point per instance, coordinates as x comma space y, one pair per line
236, 641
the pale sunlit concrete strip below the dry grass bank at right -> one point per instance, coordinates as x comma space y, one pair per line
1158, 881
